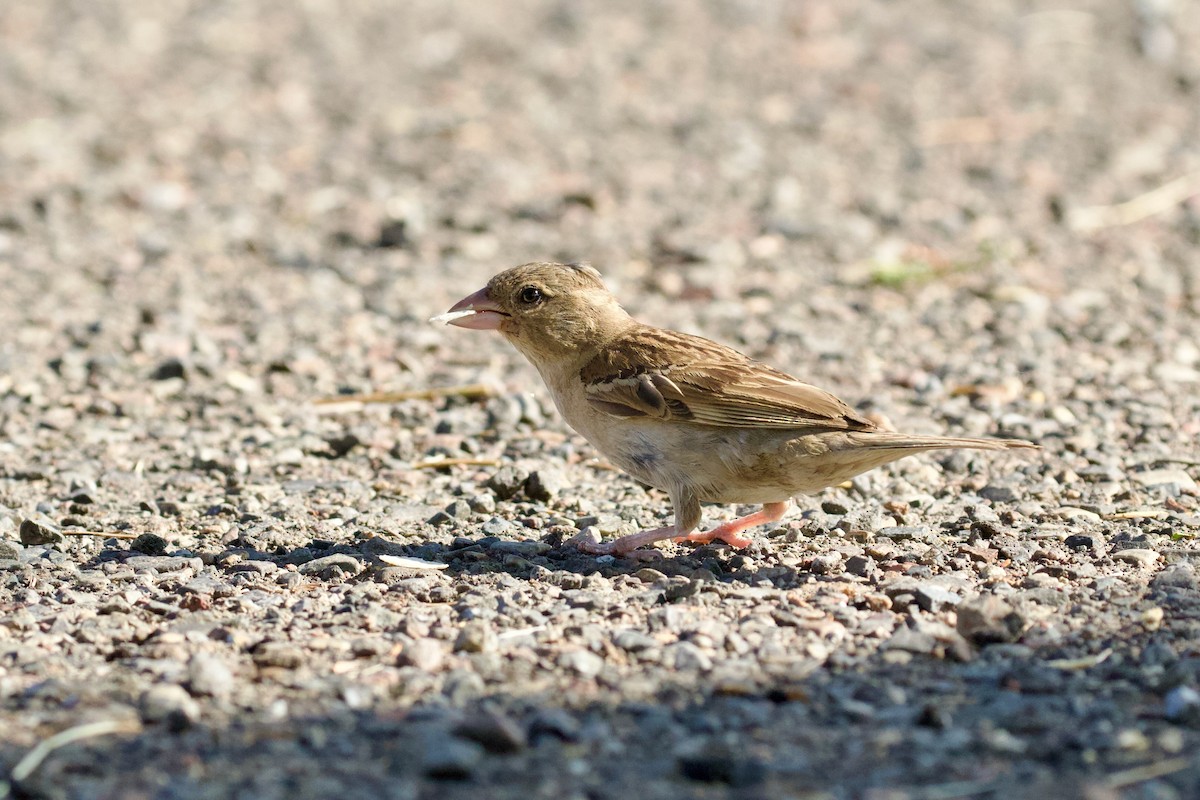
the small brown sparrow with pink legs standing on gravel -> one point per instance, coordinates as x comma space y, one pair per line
693, 418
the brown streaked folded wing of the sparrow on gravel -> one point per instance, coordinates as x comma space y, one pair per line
677, 377
